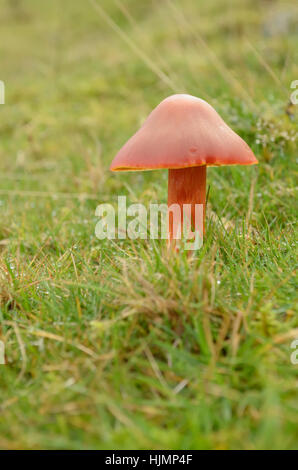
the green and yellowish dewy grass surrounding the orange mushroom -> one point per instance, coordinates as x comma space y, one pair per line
118, 344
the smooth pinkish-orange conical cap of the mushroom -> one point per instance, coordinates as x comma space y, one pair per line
183, 131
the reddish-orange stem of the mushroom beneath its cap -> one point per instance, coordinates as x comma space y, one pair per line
186, 186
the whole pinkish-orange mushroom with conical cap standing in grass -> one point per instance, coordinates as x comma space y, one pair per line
185, 135
